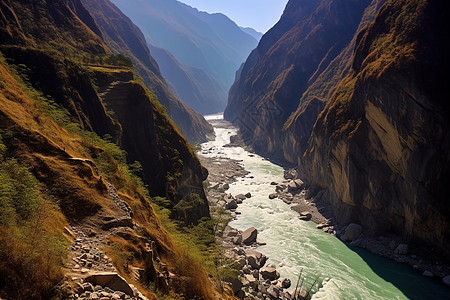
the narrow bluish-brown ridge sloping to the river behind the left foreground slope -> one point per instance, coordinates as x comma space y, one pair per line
123, 37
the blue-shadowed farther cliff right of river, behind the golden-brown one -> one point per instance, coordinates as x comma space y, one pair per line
308, 37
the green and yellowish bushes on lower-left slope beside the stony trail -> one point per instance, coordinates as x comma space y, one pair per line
32, 250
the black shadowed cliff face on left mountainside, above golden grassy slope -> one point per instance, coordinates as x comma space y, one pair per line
150, 138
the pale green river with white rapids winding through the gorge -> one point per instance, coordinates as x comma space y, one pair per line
294, 245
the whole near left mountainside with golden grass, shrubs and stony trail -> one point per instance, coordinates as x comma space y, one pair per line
91, 166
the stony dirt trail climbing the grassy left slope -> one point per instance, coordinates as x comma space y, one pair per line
88, 257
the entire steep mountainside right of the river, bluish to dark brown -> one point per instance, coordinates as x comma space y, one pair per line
352, 92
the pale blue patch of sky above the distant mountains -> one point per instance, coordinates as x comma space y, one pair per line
258, 14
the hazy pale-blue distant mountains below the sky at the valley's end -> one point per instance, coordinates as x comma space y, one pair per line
206, 49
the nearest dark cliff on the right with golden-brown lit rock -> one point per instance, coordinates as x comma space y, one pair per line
380, 147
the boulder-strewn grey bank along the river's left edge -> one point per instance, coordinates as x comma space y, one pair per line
258, 280
